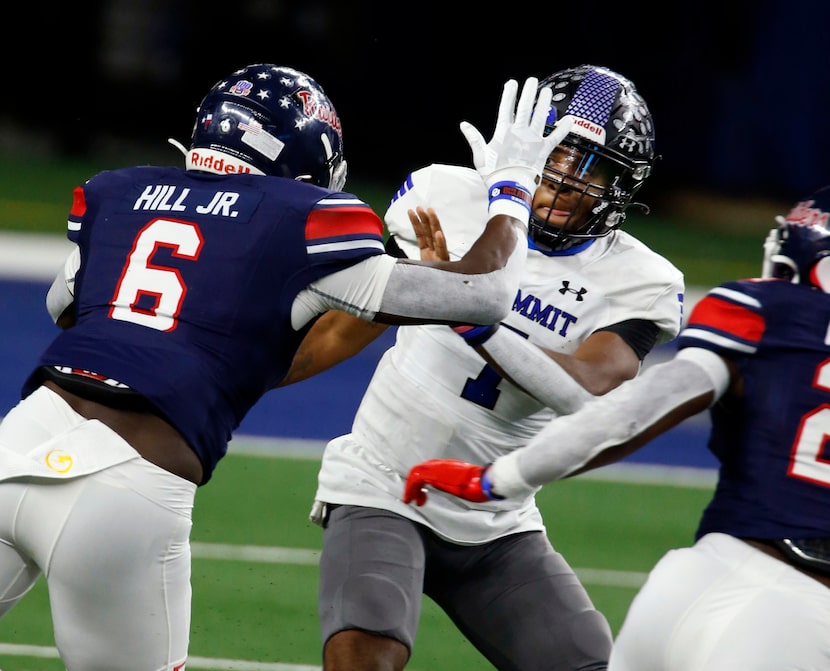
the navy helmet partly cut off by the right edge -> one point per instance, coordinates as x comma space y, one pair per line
799, 249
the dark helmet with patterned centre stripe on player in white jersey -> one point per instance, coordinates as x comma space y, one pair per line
601, 163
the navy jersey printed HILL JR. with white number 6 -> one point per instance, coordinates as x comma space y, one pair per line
186, 283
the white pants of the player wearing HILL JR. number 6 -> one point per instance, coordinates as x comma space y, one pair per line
113, 543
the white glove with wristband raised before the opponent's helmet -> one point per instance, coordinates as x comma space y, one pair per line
512, 162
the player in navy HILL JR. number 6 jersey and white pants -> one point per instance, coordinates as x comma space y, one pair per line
185, 301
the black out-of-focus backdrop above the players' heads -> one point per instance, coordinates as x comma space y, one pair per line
739, 90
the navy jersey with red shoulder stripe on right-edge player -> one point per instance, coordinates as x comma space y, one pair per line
772, 443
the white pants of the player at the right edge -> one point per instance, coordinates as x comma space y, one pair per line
723, 605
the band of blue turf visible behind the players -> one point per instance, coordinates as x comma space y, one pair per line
316, 409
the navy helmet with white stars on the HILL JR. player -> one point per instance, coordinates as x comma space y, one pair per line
269, 120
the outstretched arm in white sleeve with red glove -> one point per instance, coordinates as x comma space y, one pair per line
604, 430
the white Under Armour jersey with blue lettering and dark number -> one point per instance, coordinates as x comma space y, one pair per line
433, 397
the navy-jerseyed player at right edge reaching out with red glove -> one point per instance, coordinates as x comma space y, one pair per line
754, 590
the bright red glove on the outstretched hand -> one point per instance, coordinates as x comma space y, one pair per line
466, 481
